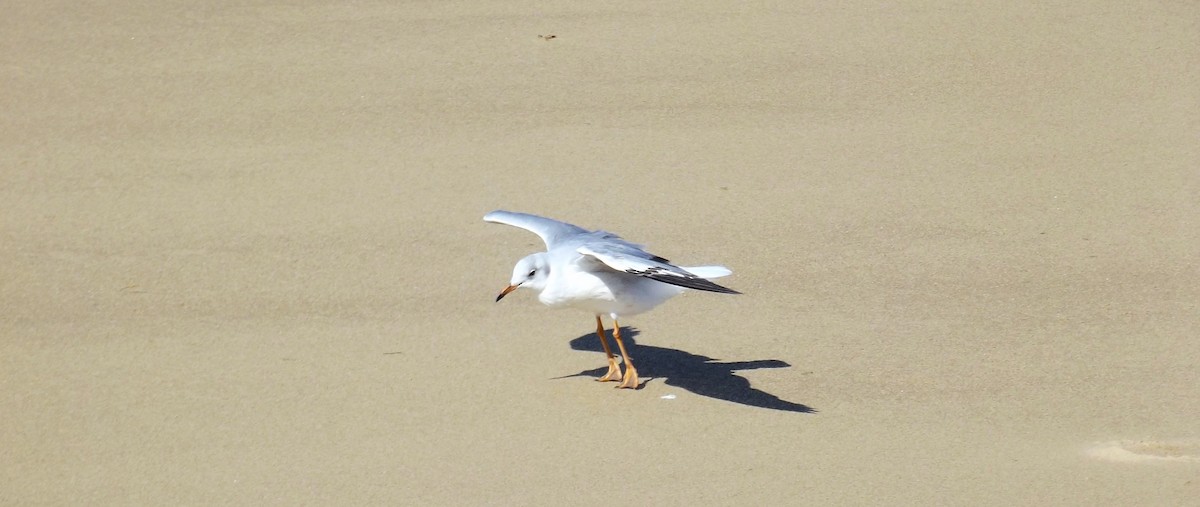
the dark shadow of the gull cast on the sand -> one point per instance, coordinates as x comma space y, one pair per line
697, 374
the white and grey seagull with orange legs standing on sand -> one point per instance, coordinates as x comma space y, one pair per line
601, 273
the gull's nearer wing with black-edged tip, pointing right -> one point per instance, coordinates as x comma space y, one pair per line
629, 259
